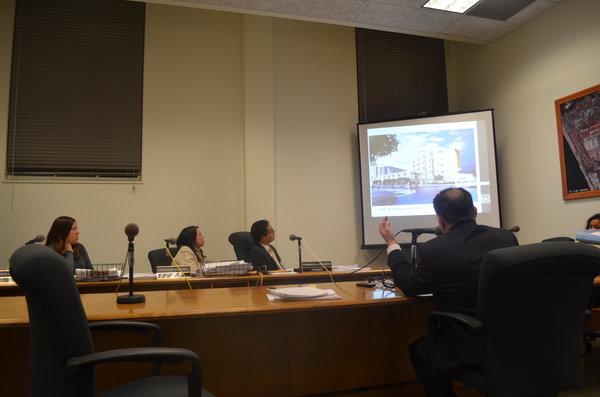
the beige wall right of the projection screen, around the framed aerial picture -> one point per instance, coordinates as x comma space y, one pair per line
520, 76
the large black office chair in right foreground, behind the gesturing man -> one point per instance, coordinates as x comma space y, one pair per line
530, 312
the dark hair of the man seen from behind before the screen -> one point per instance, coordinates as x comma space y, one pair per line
454, 205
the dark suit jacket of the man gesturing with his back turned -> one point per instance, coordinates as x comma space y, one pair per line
448, 267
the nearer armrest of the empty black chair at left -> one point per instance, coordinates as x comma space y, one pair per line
141, 354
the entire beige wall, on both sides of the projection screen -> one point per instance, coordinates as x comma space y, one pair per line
248, 117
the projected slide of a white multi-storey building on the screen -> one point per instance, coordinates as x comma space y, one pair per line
408, 167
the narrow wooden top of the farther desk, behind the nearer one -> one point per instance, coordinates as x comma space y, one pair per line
11, 289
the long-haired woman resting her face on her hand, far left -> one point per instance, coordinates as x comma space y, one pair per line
63, 238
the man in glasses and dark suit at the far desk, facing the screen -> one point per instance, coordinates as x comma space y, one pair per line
263, 255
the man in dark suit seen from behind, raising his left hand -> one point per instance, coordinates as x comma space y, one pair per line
448, 267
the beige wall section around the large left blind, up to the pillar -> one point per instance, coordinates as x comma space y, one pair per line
192, 155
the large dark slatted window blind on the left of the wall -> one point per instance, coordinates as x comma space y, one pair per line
76, 88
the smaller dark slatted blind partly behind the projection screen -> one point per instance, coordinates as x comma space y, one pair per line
399, 76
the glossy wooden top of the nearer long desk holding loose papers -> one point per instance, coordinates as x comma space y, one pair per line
205, 302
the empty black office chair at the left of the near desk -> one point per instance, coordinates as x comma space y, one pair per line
62, 352
